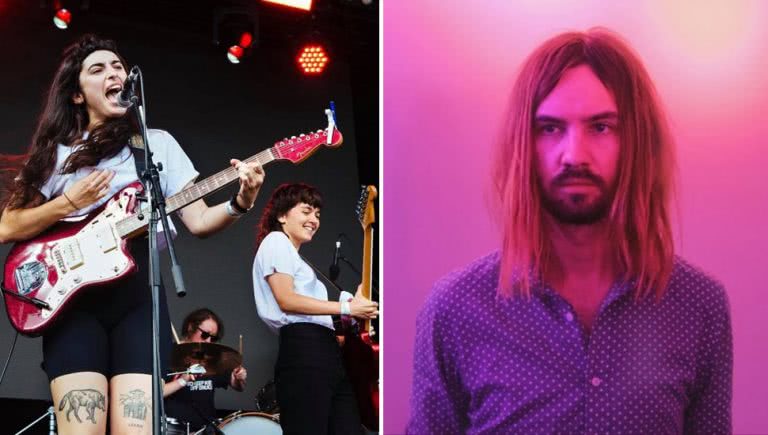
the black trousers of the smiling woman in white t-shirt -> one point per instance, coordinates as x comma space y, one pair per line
313, 391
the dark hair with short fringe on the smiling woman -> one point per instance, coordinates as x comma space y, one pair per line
283, 199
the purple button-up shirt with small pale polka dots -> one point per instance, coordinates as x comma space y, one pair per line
484, 364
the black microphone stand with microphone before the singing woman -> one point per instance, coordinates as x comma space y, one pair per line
150, 177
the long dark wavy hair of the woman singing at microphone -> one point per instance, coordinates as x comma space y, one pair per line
62, 122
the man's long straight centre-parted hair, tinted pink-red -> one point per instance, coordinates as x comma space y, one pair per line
639, 216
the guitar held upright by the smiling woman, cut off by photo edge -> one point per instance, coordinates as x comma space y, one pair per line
361, 347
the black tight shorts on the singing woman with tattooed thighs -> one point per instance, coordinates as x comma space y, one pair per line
108, 329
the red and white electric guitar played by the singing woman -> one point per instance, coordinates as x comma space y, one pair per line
44, 274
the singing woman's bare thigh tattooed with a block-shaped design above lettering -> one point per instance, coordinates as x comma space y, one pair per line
131, 397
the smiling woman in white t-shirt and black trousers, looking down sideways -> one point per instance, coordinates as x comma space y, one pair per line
313, 390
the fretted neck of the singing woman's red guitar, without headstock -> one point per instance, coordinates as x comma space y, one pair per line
132, 226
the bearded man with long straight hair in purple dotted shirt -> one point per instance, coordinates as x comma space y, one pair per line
585, 321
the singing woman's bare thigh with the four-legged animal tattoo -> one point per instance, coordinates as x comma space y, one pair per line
80, 401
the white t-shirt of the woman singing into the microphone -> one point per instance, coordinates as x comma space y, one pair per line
177, 171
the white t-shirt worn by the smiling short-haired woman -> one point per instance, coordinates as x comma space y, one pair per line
277, 254
